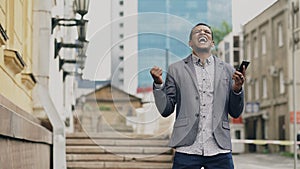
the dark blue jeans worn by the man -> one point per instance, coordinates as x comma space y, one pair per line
189, 161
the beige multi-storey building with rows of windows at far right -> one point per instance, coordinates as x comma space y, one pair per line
268, 44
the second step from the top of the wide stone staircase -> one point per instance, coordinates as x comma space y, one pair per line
117, 142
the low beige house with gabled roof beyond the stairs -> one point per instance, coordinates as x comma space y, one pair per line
108, 108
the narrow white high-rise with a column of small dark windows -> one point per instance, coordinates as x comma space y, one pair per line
123, 41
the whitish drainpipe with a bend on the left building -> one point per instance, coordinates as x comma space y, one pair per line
42, 55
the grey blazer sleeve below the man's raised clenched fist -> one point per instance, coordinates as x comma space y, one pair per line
165, 97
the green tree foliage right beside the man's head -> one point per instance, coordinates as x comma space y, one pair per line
221, 32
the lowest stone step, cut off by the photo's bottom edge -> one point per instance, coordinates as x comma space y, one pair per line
118, 165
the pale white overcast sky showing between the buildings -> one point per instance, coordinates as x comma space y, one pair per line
243, 11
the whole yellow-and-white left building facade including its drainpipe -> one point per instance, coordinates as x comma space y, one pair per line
36, 94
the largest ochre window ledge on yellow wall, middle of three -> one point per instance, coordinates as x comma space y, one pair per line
13, 61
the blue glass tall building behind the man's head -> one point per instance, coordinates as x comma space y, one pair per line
166, 25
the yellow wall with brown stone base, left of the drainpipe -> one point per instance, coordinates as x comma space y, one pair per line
22, 135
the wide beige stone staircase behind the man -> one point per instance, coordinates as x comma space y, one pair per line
117, 151
